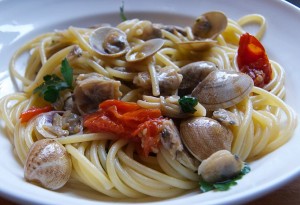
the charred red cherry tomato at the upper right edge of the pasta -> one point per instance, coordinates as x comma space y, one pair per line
253, 60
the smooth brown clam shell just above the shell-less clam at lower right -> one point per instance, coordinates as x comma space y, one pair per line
203, 136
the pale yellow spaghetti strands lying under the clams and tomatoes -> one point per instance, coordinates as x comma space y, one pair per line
112, 165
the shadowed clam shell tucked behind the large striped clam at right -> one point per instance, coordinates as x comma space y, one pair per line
194, 73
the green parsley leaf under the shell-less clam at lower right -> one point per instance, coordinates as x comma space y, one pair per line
225, 185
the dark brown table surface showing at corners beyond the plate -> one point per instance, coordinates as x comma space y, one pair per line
288, 194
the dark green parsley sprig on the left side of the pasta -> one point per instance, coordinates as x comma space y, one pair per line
52, 84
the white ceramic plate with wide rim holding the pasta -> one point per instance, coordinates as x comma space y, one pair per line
22, 20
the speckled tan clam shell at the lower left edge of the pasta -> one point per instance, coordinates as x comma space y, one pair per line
48, 164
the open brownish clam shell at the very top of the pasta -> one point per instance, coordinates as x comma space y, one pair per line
209, 25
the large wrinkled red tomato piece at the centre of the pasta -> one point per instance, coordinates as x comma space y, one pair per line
127, 120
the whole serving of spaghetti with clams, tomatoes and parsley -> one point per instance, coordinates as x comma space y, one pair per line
146, 109
